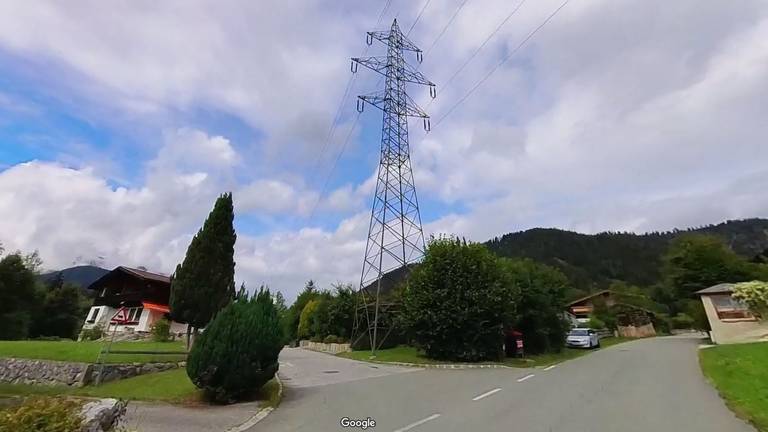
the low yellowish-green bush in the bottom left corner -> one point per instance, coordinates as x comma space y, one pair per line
42, 415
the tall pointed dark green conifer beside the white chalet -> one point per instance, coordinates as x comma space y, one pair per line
205, 281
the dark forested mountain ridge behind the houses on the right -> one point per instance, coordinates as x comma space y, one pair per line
593, 260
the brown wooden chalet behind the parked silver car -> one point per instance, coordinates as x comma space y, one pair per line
632, 321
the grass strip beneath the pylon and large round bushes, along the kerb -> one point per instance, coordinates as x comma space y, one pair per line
407, 354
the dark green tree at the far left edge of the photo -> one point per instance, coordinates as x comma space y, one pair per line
20, 298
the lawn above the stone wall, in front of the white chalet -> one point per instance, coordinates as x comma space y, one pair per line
88, 351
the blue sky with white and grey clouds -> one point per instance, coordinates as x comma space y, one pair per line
122, 121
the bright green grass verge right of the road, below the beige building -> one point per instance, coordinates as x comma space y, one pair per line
740, 374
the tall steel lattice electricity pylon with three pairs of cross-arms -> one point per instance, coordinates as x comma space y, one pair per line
395, 237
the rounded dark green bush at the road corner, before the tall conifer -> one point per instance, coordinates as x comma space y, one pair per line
237, 353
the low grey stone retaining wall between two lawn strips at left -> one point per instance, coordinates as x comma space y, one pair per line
48, 372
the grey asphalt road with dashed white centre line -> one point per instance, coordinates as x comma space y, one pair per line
652, 385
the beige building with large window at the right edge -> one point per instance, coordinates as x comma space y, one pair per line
730, 320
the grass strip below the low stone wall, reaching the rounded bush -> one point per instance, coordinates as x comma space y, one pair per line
170, 386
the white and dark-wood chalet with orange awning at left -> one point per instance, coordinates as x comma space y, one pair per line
145, 296
